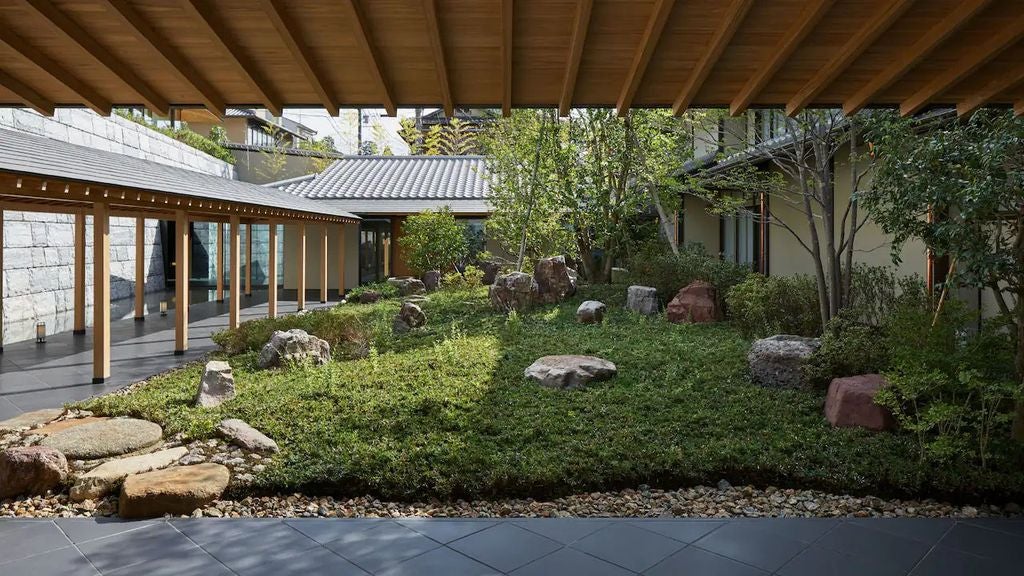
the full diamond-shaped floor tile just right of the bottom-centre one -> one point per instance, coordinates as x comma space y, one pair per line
626, 546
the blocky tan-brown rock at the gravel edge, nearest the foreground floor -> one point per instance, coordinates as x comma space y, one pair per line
178, 490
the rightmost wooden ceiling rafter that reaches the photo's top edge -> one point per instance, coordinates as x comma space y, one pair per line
910, 58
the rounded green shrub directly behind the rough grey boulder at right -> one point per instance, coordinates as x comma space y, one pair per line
764, 306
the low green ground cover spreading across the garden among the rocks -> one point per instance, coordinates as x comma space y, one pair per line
446, 413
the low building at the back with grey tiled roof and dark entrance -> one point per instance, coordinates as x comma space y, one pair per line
385, 190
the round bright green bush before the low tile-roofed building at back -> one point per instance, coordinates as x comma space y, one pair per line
433, 240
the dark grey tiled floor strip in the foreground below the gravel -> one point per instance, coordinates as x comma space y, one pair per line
536, 547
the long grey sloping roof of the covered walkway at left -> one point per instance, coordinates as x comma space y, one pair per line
31, 155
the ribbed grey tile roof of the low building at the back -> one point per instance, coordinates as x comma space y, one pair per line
371, 179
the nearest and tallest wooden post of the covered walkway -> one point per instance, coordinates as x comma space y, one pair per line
101, 293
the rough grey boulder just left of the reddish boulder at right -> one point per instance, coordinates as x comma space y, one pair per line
778, 362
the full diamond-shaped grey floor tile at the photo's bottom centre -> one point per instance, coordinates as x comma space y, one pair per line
505, 547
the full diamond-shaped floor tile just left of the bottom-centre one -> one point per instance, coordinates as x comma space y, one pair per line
382, 547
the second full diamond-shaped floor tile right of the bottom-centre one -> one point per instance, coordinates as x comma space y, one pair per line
741, 542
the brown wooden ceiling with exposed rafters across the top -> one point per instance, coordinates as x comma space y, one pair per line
511, 54
